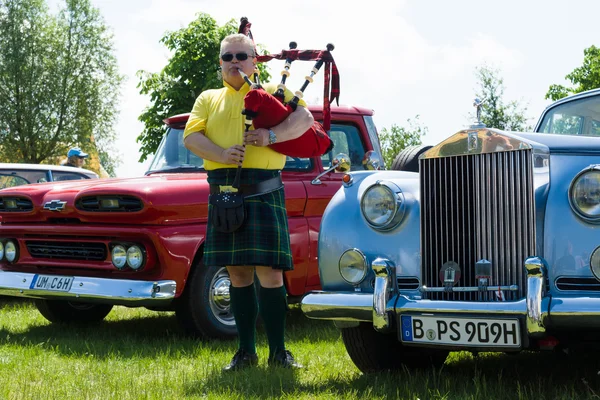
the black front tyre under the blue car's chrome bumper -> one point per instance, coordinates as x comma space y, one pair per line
372, 351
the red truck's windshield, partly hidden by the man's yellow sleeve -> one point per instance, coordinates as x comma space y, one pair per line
172, 156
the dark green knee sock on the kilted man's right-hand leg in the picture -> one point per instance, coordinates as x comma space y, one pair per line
273, 309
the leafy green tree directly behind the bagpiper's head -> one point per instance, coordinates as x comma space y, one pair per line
192, 68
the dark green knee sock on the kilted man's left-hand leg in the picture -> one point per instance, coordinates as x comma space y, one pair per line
244, 307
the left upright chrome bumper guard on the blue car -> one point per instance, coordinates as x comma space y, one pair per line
383, 291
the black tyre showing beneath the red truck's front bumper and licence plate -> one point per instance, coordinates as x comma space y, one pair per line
61, 311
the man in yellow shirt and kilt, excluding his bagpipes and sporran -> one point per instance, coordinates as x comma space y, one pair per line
215, 132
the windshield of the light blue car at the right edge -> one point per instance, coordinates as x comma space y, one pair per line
579, 117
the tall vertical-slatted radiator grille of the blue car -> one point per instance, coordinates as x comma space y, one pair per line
476, 207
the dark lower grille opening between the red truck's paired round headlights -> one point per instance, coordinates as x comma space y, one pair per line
67, 250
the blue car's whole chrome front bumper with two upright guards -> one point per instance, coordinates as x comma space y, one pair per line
538, 311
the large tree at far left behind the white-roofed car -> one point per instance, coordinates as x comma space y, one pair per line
59, 82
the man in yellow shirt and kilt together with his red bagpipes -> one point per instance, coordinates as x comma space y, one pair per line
247, 228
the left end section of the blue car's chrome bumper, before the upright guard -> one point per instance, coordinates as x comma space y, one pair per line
338, 306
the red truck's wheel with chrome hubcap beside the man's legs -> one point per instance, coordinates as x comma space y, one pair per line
204, 309
